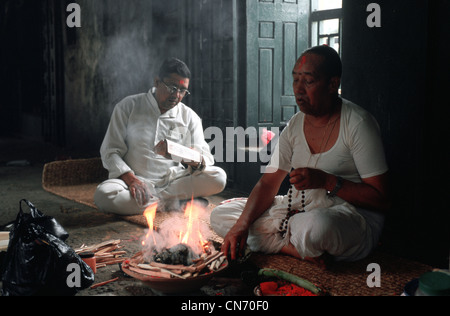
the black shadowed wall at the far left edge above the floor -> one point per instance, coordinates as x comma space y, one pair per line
21, 67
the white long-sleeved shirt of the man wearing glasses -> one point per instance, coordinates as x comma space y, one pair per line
137, 126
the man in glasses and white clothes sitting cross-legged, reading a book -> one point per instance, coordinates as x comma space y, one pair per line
138, 176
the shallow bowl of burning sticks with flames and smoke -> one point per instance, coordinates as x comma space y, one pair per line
176, 257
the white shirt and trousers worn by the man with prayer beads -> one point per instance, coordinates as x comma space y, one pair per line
329, 224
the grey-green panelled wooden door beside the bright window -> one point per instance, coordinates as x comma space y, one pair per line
277, 33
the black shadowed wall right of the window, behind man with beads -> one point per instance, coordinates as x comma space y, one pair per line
396, 73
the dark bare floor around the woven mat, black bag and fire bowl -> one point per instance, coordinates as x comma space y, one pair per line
21, 179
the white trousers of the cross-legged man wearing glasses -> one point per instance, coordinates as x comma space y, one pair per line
113, 195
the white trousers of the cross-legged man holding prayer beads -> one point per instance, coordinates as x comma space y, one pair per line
336, 227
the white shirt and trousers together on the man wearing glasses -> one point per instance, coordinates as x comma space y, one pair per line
136, 127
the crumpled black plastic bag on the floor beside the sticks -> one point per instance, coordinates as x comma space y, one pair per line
39, 262
